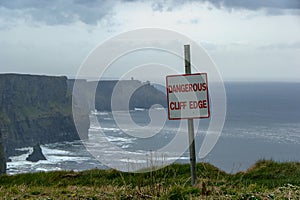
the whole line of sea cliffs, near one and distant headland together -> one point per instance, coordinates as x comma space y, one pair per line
38, 109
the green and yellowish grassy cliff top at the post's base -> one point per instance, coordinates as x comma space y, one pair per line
265, 180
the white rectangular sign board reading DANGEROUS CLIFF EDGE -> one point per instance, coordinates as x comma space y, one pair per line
187, 96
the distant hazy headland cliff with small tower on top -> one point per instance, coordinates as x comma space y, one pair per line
144, 96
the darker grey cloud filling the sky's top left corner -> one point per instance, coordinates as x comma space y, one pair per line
60, 11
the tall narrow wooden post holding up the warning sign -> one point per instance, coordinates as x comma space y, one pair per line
187, 58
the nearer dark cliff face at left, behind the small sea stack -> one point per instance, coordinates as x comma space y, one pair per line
35, 109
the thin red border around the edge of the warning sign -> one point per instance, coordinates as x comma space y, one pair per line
208, 112
